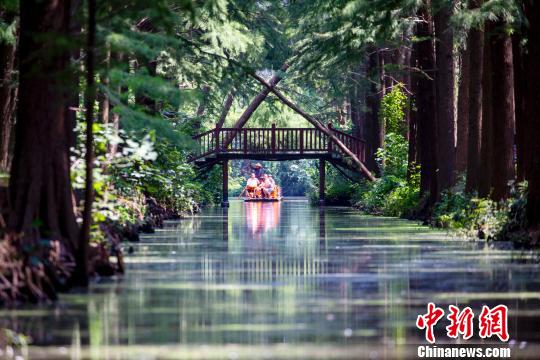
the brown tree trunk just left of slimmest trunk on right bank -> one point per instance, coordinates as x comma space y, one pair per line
476, 42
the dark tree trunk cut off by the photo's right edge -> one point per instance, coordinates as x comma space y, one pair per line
532, 109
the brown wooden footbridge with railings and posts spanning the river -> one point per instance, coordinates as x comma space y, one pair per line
221, 144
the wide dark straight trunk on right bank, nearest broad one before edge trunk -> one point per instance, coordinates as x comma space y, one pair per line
503, 169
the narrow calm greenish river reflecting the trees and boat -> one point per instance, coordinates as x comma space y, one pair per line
284, 281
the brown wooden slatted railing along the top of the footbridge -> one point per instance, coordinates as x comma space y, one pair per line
274, 141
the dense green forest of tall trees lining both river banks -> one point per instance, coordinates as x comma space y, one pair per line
99, 100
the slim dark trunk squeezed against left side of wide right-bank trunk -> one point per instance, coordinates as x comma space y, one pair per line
486, 159
